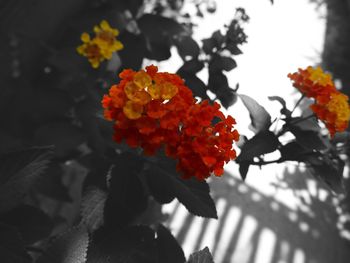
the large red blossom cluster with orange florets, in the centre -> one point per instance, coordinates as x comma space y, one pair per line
154, 109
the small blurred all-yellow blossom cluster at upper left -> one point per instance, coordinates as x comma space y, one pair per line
102, 46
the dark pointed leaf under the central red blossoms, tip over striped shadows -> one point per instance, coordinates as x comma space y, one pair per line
193, 194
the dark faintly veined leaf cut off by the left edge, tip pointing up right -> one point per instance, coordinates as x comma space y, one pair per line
18, 172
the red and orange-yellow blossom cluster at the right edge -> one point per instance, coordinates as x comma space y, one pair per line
330, 106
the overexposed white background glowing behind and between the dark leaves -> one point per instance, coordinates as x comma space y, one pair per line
281, 38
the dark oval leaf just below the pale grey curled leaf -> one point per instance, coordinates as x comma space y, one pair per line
262, 143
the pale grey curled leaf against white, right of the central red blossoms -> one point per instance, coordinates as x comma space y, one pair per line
261, 119
